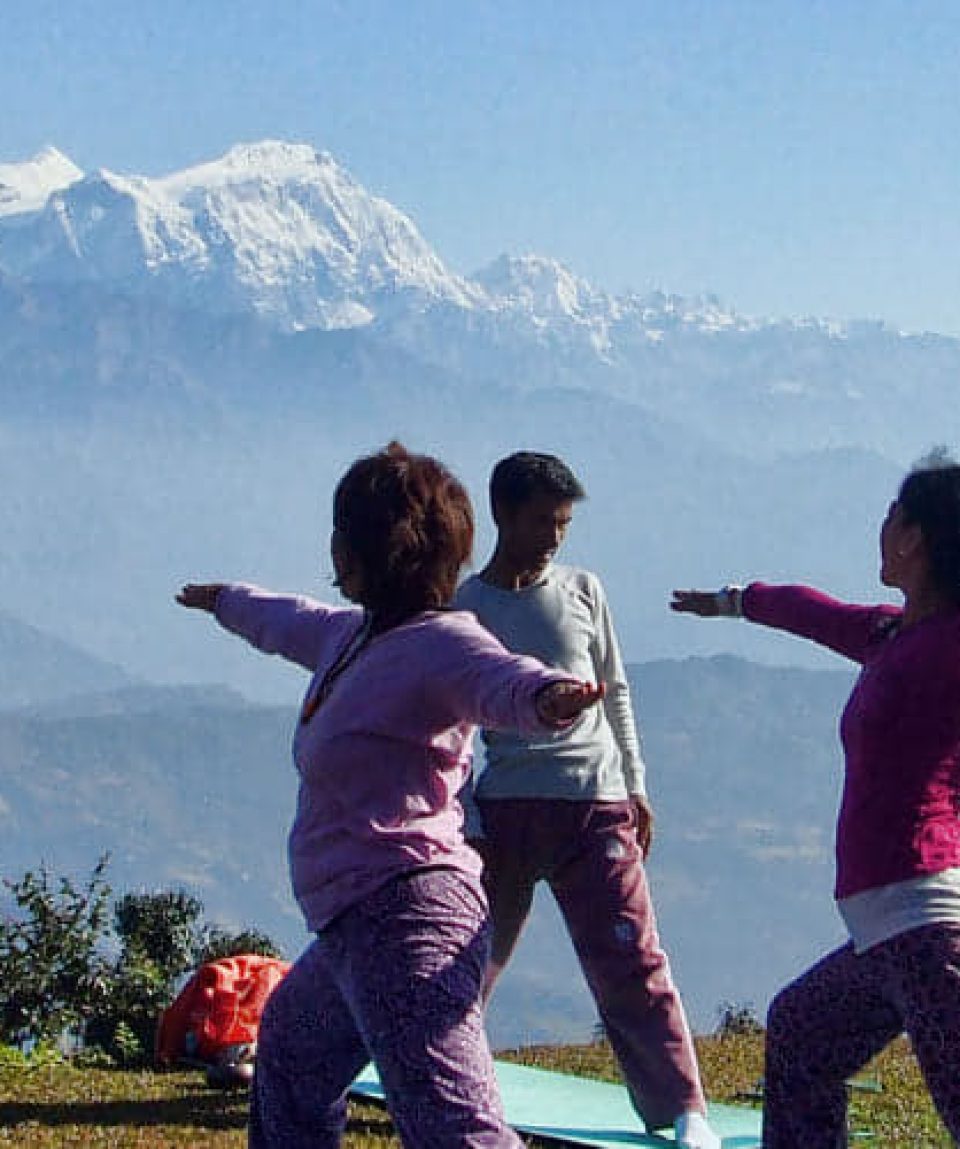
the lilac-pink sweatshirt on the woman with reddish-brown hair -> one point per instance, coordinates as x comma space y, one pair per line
384, 758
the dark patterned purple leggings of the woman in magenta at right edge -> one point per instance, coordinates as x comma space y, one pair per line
830, 1023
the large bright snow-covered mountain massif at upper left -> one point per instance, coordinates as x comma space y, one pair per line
276, 230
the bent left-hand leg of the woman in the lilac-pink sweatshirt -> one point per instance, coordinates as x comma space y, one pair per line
308, 1053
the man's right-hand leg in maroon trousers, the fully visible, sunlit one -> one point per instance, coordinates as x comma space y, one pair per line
602, 891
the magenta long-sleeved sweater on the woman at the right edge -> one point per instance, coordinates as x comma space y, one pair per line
901, 732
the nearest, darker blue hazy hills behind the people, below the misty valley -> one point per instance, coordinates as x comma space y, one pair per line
195, 788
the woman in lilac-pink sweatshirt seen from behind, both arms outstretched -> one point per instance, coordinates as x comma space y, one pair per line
378, 861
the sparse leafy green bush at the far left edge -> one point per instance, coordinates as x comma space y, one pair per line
53, 974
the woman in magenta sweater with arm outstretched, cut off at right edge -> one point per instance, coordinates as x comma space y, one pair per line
899, 831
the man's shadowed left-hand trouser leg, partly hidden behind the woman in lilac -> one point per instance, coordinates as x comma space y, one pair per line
509, 876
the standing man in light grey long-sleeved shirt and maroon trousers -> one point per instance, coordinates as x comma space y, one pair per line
571, 808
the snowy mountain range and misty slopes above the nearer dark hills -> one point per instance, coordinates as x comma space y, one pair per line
189, 361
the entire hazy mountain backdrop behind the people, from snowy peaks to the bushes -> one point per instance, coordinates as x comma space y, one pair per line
188, 364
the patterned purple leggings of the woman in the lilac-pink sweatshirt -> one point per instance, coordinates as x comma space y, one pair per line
397, 980
